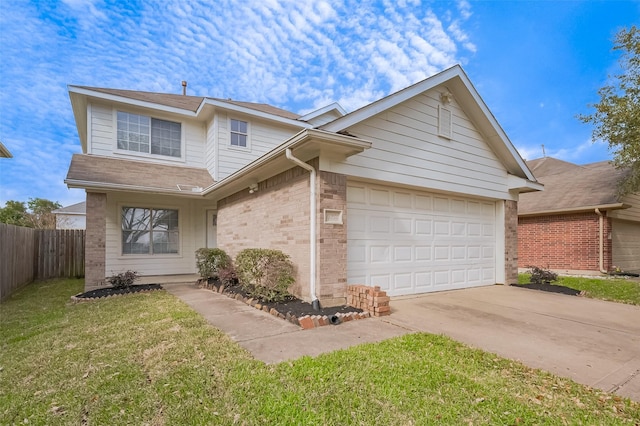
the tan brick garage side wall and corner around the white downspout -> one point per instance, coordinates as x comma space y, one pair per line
277, 217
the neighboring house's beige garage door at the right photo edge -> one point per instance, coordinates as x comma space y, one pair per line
625, 238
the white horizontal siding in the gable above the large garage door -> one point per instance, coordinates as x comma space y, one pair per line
407, 150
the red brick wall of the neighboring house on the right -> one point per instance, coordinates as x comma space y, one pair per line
563, 242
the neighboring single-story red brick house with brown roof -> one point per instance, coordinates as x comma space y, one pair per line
578, 224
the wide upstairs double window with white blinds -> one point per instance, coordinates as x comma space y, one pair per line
148, 135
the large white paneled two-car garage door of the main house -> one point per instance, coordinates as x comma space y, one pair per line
410, 242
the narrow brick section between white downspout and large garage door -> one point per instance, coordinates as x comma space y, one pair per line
332, 241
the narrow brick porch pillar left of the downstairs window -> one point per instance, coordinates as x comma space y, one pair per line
95, 243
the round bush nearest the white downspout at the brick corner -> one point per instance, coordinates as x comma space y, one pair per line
265, 274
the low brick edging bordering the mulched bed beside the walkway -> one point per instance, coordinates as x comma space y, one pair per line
306, 322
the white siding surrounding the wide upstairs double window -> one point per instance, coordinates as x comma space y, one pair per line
102, 137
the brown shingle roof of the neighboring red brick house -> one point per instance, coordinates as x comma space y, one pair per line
570, 186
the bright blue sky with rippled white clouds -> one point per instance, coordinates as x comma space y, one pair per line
536, 64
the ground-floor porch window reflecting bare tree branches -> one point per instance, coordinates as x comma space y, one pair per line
149, 231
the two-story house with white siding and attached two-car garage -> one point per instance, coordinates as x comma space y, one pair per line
416, 192
